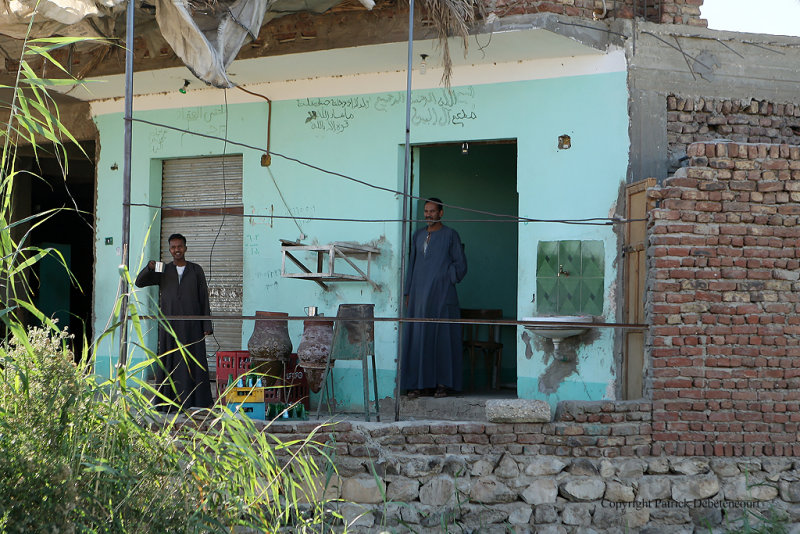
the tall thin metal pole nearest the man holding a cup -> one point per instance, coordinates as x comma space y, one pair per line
126, 183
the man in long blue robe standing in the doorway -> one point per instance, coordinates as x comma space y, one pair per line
432, 352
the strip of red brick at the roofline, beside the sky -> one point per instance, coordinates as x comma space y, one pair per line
666, 11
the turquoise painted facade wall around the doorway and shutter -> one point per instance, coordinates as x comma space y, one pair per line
362, 136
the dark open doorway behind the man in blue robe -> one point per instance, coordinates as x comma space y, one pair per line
481, 176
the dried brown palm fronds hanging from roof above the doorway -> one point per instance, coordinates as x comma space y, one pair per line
452, 18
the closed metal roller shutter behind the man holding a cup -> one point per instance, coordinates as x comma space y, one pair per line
214, 241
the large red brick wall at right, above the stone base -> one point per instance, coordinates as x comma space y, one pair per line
723, 303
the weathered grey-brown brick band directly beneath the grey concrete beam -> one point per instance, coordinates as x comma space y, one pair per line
691, 120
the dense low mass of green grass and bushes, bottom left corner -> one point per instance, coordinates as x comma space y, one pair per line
85, 454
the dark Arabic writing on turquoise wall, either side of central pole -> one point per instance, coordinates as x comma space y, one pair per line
438, 107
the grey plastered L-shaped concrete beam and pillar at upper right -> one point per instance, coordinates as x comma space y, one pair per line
716, 64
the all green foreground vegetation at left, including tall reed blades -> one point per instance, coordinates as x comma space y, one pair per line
84, 453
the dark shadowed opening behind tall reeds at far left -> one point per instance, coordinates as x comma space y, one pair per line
70, 230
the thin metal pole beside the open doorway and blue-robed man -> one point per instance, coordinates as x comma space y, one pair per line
404, 237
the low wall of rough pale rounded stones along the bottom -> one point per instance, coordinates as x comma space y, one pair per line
499, 485
